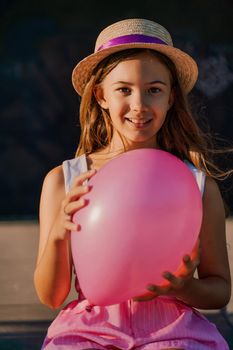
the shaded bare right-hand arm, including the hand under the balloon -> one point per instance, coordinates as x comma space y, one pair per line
212, 288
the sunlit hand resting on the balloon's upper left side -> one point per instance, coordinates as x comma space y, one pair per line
72, 202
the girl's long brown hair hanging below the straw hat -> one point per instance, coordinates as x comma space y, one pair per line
179, 135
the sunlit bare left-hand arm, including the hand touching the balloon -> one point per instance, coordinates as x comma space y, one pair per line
52, 275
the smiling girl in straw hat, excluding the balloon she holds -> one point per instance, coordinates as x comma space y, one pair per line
134, 95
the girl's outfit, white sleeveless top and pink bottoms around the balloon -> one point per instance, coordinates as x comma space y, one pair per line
161, 323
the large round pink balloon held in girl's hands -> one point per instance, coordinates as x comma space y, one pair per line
144, 214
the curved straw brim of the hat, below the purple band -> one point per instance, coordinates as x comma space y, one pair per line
186, 67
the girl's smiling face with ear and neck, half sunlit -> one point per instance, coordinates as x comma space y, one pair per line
137, 94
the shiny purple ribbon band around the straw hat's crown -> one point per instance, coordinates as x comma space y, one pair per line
131, 38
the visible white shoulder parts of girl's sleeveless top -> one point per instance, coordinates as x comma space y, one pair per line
76, 166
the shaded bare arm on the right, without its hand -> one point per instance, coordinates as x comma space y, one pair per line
213, 288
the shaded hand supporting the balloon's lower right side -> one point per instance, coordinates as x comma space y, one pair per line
175, 283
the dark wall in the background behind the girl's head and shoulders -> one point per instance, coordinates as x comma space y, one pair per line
41, 41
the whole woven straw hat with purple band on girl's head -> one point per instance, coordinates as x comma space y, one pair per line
135, 33
